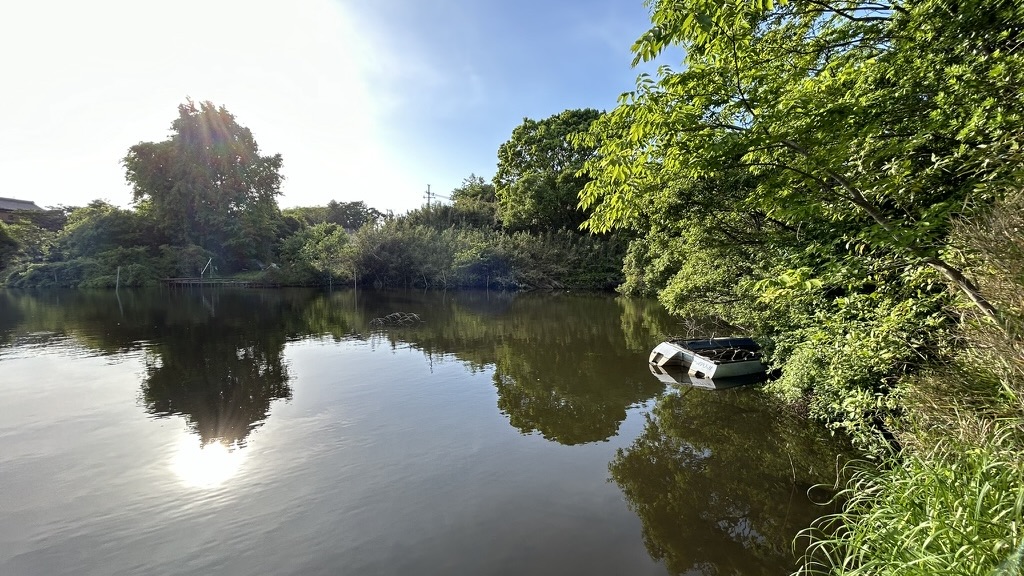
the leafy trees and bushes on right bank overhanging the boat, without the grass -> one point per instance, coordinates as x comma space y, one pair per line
801, 175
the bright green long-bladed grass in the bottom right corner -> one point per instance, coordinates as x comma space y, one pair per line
956, 510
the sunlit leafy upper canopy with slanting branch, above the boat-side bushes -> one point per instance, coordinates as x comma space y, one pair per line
885, 120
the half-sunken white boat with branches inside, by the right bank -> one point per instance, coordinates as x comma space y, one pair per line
711, 358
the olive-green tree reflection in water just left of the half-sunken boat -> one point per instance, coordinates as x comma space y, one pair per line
565, 368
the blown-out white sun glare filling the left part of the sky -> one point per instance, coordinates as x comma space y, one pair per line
94, 78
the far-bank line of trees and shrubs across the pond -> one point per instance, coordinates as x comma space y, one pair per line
207, 196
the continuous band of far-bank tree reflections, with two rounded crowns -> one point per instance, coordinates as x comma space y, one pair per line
568, 368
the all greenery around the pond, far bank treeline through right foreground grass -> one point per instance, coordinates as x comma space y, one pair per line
841, 180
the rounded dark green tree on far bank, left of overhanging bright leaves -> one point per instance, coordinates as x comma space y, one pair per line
538, 182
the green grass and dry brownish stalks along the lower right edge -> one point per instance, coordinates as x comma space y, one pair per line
952, 502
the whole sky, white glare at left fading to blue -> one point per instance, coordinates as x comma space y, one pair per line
366, 101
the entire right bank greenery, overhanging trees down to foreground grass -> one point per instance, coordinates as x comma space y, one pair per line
843, 181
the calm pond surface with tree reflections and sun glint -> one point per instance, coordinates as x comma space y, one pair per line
282, 433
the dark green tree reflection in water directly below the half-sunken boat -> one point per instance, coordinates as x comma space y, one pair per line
720, 482
